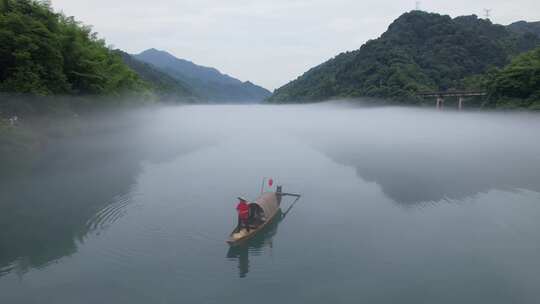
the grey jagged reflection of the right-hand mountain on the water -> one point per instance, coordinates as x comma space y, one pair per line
410, 176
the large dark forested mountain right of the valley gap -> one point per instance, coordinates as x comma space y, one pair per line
419, 52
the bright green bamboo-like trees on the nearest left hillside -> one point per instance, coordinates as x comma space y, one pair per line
45, 53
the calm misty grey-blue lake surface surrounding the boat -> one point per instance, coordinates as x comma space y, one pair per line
399, 204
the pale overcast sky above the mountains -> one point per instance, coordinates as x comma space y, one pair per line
267, 42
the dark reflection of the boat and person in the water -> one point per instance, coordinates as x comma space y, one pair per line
254, 247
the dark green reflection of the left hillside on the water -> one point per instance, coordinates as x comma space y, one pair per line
45, 214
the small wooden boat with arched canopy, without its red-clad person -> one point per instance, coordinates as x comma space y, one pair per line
268, 206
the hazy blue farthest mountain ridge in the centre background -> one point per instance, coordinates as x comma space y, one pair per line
206, 82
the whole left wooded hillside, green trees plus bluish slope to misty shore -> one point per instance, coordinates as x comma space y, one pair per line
45, 53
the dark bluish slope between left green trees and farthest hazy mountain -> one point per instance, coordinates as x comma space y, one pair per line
162, 84
